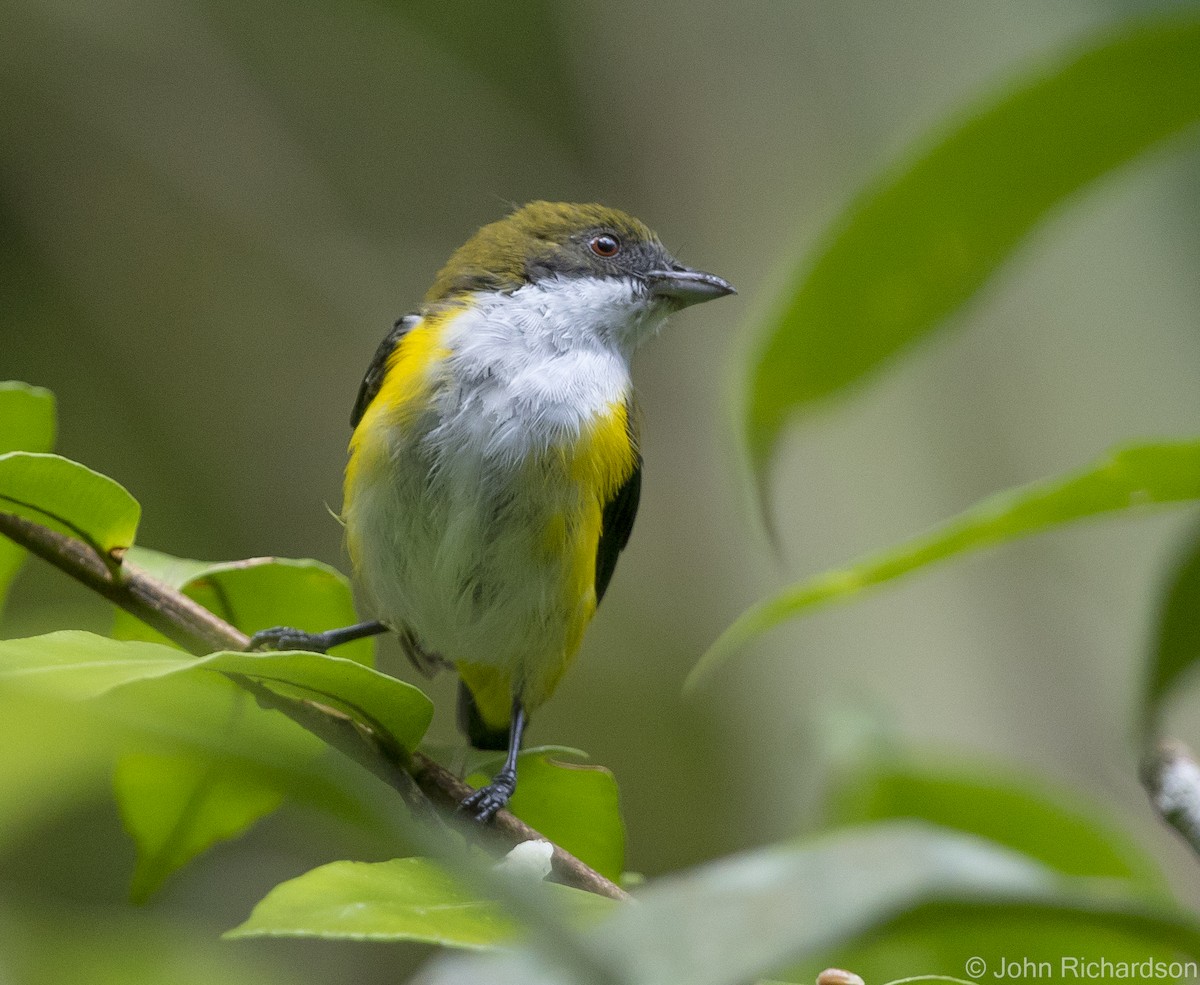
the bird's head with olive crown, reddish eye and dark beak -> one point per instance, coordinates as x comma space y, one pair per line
584, 251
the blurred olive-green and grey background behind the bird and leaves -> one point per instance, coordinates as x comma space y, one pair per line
212, 212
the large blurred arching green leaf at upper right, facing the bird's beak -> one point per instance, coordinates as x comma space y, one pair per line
922, 239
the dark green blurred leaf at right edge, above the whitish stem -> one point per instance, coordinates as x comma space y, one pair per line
1178, 644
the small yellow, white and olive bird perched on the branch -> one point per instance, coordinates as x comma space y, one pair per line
495, 472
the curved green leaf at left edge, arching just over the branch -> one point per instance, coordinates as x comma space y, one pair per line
69, 498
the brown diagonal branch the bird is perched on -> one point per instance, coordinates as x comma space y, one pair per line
416, 777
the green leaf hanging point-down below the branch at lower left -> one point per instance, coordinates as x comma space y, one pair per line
178, 806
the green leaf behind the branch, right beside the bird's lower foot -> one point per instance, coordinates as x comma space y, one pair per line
577, 806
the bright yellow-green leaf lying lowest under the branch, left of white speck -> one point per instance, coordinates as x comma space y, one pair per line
407, 899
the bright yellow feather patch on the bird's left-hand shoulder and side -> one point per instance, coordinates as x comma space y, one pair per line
403, 397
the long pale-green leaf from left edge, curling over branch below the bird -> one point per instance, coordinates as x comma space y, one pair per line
81, 665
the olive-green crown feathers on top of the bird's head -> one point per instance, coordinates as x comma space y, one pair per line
501, 256
